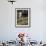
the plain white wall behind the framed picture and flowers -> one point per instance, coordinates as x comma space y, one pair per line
8, 31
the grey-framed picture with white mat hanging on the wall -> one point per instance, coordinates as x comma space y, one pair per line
22, 17
